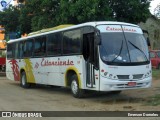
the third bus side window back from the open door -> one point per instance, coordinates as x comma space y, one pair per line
40, 46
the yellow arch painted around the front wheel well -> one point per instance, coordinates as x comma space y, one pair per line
77, 73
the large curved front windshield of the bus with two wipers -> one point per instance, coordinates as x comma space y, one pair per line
124, 48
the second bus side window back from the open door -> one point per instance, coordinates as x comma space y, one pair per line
54, 44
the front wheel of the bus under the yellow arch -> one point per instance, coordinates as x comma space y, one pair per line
76, 91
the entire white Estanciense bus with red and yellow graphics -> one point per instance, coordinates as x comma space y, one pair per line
99, 56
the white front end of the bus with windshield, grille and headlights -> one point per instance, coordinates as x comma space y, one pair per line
124, 58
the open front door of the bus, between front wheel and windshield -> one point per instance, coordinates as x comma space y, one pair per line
90, 53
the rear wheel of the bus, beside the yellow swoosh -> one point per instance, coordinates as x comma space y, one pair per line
23, 81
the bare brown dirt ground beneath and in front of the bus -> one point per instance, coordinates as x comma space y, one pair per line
44, 98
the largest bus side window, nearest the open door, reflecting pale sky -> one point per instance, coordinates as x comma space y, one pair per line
72, 42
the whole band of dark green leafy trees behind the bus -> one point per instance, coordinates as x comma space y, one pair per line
39, 14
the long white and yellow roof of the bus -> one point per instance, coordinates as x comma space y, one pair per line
59, 29
